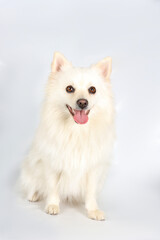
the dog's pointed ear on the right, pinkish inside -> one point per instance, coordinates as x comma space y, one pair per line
105, 67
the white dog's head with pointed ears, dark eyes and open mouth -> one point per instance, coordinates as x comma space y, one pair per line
79, 93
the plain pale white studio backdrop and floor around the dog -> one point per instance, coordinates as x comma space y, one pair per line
85, 32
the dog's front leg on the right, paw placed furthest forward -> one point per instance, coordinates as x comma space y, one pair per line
90, 201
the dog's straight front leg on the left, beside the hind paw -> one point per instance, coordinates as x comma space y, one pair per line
52, 200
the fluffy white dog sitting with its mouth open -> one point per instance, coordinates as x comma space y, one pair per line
73, 144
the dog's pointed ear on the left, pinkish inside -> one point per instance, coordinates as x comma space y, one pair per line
58, 62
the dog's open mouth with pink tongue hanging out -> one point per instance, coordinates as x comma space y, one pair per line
79, 116
